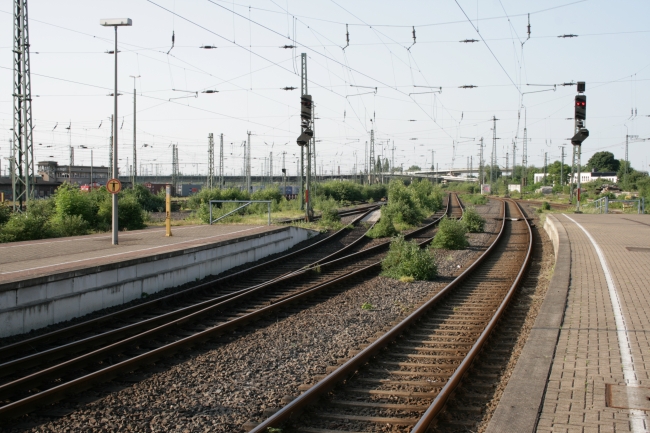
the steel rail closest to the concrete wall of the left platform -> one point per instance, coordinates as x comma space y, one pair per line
10, 349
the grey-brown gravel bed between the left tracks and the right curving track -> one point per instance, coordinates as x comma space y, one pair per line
244, 375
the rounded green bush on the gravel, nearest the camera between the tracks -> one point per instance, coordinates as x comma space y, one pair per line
406, 259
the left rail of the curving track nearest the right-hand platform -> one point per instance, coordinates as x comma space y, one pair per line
351, 365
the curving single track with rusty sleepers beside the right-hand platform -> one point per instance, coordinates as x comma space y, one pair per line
402, 380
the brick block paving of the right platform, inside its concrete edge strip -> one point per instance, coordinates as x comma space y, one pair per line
587, 356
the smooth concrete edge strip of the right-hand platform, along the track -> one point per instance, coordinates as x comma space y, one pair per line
521, 404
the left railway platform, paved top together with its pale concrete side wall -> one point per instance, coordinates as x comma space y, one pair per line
48, 281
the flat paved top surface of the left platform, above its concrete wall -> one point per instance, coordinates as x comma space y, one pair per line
24, 260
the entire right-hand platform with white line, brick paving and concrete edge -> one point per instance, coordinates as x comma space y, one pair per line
585, 367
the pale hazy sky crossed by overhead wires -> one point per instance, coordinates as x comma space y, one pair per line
408, 90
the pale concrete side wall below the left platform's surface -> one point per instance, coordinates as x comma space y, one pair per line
33, 304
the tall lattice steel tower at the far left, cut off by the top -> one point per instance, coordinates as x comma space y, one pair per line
23, 151
